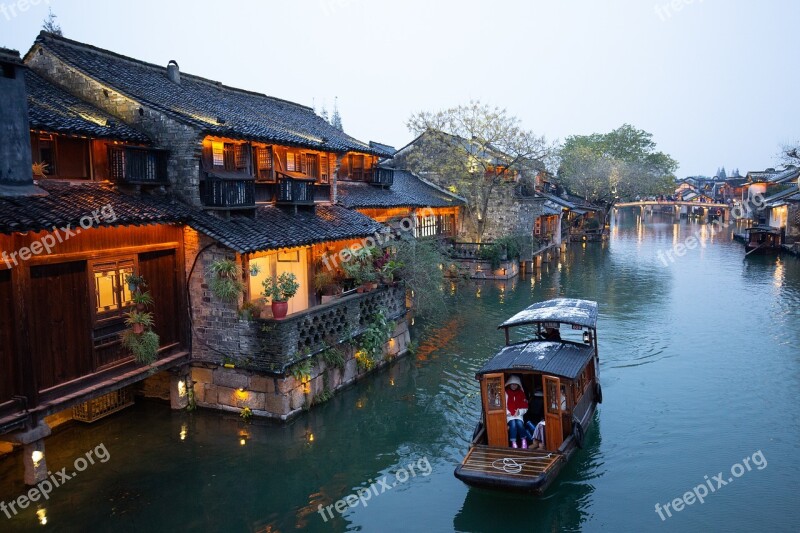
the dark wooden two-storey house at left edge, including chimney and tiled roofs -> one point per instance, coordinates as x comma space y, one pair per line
68, 243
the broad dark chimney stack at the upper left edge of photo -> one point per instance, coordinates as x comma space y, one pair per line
16, 174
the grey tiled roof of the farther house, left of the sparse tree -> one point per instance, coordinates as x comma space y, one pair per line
407, 190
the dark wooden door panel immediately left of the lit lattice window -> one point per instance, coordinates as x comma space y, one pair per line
60, 323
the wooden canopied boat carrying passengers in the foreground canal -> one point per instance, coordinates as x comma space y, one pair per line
559, 374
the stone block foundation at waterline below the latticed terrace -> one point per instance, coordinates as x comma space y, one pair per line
274, 396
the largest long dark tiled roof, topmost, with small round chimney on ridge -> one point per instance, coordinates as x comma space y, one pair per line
200, 102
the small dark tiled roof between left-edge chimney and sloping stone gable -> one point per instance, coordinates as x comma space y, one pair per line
52, 109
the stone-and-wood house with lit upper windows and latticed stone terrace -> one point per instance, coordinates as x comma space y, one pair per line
261, 175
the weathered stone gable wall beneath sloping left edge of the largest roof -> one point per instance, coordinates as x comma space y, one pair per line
184, 142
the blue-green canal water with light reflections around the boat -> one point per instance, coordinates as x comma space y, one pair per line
700, 368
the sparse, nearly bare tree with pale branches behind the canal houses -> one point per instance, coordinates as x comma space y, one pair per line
472, 150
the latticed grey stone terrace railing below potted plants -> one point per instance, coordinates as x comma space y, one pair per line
279, 343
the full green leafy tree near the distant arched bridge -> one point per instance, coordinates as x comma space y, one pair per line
624, 163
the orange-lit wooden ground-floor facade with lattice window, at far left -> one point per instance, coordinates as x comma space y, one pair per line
53, 338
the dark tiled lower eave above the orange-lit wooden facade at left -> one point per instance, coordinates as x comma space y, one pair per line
66, 204
